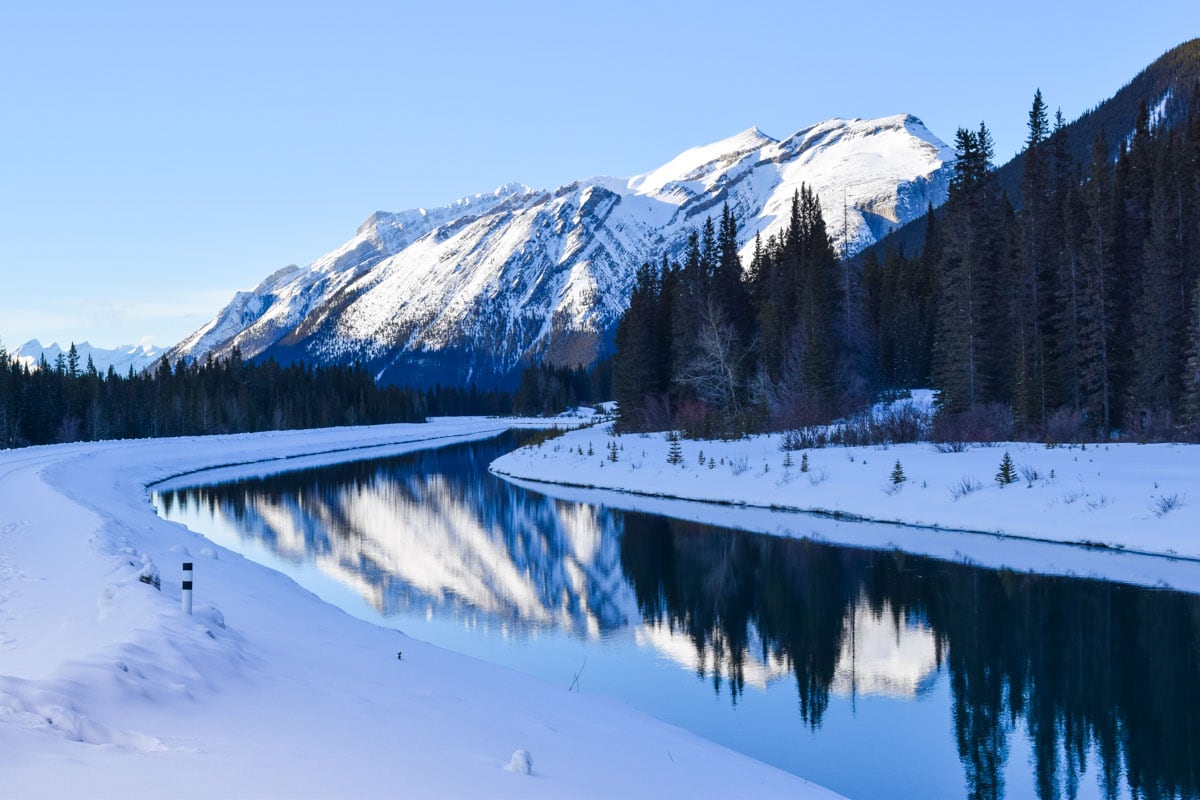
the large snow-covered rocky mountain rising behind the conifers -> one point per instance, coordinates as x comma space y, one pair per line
477, 290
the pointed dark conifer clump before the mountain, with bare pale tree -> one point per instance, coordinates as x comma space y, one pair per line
717, 351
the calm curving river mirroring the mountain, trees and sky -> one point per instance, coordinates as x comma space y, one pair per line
872, 672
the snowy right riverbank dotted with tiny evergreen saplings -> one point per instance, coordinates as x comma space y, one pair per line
1141, 500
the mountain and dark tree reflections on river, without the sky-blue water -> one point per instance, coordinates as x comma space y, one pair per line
1100, 679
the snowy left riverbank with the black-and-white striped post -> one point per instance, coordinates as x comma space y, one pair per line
107, 689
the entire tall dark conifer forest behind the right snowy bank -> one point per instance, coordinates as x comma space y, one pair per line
1073, 314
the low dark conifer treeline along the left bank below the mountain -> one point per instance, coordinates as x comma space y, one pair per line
73, 402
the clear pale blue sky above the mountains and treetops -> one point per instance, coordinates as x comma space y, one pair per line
158, 157
